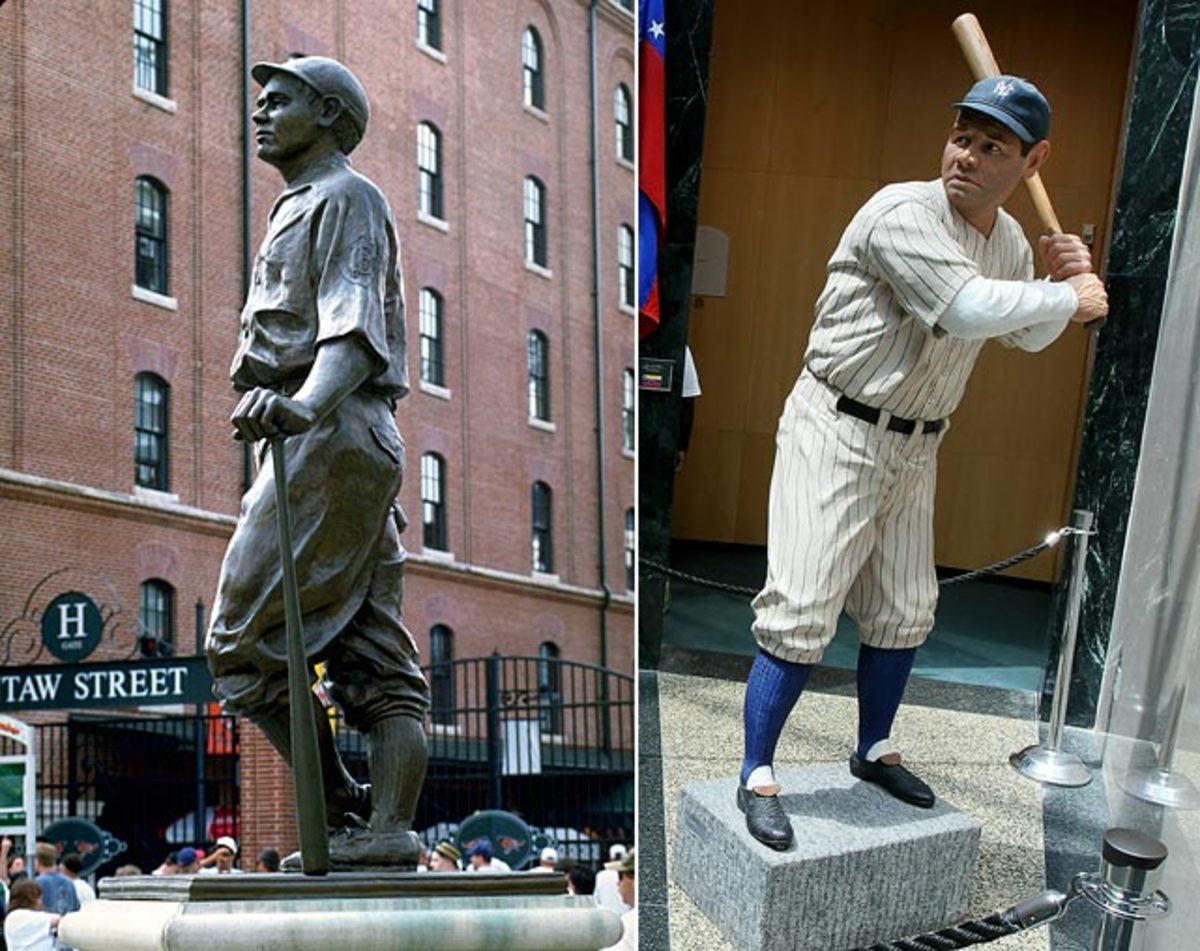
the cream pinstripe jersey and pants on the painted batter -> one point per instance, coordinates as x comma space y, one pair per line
850, 519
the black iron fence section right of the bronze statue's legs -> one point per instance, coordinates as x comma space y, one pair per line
547, 739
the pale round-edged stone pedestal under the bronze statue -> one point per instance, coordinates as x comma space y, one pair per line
353, 912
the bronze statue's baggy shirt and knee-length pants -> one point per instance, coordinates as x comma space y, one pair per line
329, 268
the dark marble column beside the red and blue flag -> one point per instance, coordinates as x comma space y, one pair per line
689, 40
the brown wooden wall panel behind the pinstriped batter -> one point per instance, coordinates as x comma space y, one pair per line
813, 107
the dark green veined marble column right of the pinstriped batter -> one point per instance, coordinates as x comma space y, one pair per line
1160, 111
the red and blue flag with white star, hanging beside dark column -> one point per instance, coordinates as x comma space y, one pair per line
652, 188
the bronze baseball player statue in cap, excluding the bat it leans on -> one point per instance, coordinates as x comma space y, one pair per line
321, 361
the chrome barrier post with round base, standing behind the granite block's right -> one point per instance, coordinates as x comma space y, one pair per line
1049, 763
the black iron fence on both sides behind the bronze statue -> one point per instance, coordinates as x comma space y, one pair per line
547, 739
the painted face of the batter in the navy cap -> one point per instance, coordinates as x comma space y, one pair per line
982, 165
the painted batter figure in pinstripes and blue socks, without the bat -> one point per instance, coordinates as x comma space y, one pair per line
923, 276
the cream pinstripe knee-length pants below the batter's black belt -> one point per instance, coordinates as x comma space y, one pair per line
850, 525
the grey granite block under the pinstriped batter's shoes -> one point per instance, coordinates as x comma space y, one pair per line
865, 866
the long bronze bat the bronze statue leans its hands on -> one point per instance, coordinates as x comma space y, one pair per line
305, 753
